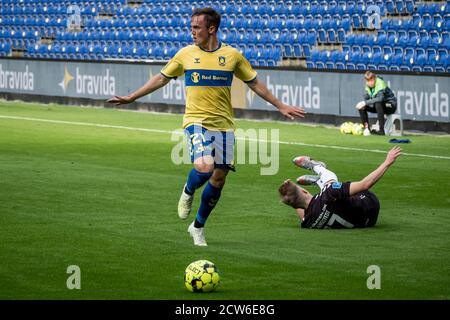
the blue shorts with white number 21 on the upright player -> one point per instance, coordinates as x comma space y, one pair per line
217, 144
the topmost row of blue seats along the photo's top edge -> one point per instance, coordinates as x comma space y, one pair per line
304, 8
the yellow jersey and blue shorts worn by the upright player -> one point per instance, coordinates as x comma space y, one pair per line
209, 113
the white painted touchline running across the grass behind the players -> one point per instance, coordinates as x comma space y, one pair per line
99, 125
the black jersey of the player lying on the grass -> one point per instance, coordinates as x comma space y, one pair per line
334, 208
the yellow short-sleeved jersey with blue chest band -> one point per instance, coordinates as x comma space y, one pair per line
208, 76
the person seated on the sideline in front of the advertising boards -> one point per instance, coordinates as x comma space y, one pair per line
378, 99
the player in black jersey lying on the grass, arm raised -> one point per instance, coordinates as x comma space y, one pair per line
338, 205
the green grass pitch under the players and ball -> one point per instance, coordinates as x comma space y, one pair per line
105, 199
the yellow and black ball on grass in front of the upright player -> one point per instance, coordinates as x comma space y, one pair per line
201, 276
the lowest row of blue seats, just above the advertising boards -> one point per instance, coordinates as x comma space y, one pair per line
409, 59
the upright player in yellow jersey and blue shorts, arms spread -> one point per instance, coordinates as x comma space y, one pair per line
208, 67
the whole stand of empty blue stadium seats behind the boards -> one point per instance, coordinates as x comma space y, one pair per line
266, 31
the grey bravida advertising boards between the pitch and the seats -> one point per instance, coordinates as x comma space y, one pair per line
327, 96
